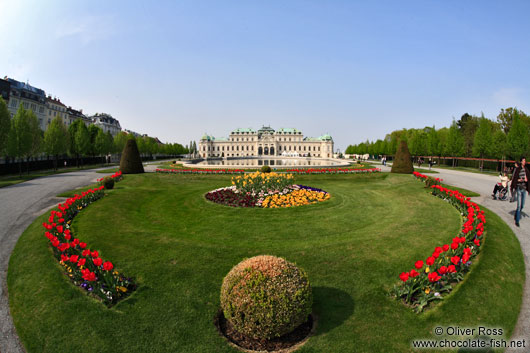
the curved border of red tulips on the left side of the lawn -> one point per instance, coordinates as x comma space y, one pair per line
83, 266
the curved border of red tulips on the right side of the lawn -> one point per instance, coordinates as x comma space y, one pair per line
435, 277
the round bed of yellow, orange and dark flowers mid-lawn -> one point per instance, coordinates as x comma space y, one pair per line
267, 190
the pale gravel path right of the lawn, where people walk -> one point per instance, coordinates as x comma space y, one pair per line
483, 184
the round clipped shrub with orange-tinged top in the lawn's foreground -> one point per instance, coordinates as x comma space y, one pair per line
265, 297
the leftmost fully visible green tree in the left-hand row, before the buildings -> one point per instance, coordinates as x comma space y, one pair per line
20, 140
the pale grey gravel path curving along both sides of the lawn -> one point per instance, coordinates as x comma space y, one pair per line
20, 204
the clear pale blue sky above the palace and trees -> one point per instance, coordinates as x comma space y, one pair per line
354, 69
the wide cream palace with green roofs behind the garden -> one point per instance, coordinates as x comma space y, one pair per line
266, 142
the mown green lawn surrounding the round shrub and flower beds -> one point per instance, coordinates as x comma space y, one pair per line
160, 229
